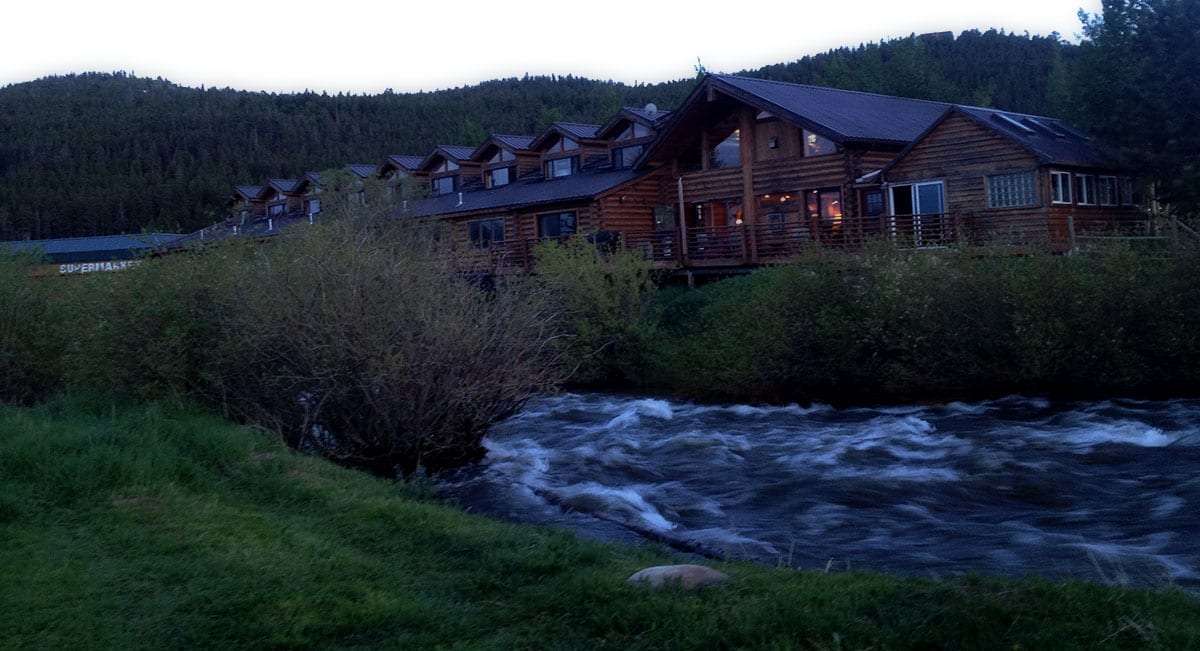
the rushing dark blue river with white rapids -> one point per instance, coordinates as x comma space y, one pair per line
1103, 492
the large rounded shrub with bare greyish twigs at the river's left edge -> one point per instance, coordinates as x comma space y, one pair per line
359, 339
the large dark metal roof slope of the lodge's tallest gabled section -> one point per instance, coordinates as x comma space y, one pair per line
839, 115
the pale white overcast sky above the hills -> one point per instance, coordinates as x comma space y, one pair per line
368, 46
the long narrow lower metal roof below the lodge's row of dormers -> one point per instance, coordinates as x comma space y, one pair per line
524, 194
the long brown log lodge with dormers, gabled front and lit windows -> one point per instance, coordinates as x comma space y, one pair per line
746, 172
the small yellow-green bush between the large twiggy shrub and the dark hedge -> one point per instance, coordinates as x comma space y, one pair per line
602, 296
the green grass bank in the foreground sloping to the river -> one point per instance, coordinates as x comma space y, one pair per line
159, 527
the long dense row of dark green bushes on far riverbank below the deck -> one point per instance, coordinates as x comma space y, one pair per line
893, 326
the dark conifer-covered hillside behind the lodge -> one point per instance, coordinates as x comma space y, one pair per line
103, 153
